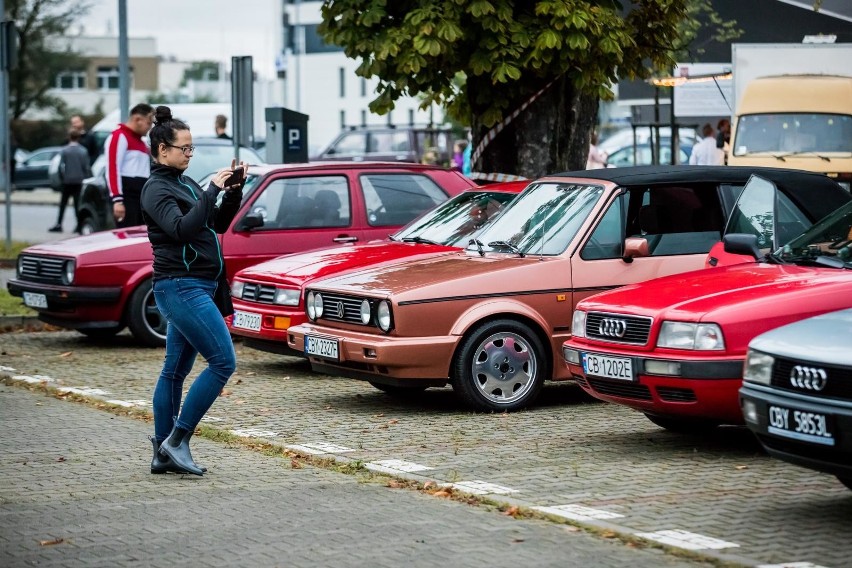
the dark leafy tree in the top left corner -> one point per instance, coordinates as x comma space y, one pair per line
41, 23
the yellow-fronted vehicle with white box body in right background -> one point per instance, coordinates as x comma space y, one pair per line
793, 107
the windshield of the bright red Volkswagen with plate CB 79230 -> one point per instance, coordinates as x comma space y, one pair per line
454, 221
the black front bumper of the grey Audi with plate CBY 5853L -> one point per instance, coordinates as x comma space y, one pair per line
834, 458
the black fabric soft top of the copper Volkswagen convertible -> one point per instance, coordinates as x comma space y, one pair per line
666, 174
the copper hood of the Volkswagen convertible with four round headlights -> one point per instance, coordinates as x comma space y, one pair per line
450, 275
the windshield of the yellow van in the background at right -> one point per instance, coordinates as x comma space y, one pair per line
792, 133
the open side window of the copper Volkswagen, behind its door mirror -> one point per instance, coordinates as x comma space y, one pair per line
677, 220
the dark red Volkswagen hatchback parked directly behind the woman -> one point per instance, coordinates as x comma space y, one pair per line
100, 283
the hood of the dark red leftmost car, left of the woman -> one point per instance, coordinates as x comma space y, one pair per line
106, 243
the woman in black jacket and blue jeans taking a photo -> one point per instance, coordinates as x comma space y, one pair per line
189, 272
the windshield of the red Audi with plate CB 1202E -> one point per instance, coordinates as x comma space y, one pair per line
829, 237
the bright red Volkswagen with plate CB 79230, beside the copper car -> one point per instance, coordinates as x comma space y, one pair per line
268, 296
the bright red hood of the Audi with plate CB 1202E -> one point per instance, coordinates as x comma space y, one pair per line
730, 294
